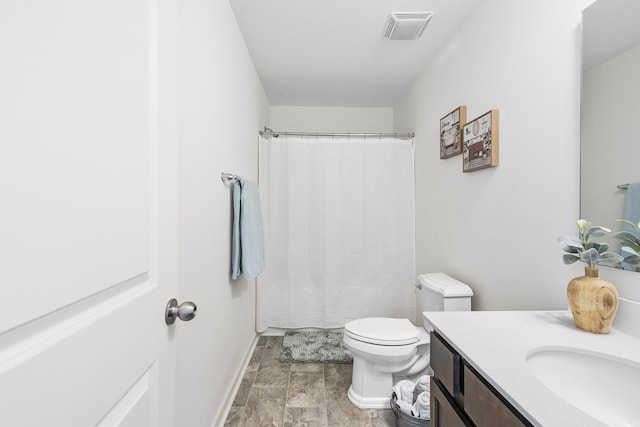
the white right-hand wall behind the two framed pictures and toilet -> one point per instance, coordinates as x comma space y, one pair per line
496, 228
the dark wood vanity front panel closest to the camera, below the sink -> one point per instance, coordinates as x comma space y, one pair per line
484, 406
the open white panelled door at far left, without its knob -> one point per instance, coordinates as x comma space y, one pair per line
87, 229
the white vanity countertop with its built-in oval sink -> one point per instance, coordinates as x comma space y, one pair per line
553, 373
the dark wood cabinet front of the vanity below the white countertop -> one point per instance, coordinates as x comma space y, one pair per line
460, 396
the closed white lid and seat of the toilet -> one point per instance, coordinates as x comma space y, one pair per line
383, 331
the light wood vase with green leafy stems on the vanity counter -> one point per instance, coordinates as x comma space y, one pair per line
593, 301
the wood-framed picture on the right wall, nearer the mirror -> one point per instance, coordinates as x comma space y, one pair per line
480, 142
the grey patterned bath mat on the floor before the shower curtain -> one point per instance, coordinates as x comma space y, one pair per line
314, 346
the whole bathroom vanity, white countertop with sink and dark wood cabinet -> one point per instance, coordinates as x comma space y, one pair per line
530, 368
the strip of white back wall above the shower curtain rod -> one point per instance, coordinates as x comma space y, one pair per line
331, 119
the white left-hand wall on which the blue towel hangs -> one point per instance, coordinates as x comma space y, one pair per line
221, 106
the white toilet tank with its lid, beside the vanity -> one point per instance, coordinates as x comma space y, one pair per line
441, 292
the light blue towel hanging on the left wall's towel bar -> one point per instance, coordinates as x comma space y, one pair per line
247, 236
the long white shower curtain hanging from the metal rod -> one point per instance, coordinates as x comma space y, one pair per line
339, 230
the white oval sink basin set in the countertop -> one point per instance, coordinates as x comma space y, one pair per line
601, 385
